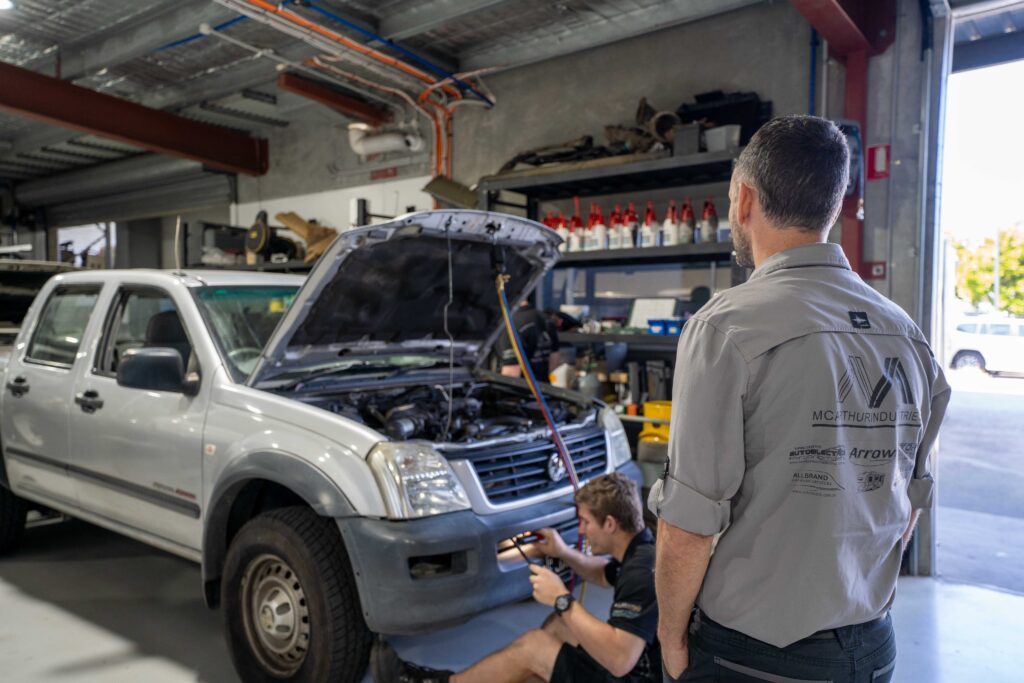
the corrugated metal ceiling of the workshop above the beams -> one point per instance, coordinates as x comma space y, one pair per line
185, 77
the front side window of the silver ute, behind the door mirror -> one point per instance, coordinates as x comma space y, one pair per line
143, 319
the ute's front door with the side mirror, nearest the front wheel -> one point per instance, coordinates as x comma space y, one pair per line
140, 451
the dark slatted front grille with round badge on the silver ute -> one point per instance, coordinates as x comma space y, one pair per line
516, 472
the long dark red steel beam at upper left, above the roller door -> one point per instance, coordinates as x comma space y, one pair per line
59, 103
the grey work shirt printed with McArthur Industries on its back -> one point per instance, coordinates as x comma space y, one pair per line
805, 406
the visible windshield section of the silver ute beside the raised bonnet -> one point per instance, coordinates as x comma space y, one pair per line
242, 320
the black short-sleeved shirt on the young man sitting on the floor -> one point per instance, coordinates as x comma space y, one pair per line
634, 606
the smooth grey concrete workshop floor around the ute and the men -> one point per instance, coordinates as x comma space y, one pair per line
82, 606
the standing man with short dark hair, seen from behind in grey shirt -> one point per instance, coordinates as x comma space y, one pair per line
805, 407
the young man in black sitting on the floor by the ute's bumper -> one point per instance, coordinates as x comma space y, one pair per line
573, 646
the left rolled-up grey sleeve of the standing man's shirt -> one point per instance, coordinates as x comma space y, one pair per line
706, 449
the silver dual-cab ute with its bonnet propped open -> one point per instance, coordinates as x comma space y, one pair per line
306, 441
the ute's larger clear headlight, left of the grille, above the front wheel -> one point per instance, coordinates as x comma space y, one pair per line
416, 481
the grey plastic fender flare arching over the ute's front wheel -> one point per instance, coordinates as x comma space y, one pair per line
302, 478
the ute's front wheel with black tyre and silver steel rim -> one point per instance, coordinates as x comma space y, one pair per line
291, 609
